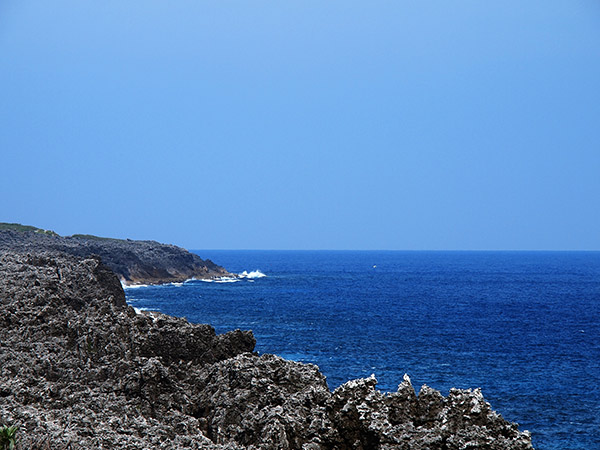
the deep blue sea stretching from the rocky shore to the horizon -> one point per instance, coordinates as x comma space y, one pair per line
523, 326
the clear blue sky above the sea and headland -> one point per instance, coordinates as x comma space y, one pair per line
399, 125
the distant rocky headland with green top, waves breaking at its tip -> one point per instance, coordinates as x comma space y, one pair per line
145, 262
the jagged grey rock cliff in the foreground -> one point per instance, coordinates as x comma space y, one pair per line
80, 369
